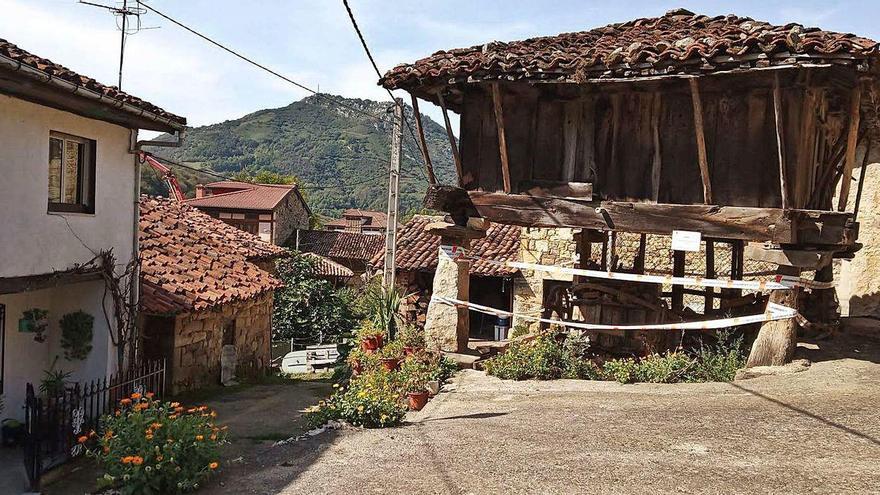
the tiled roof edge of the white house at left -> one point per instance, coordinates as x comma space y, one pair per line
52, 69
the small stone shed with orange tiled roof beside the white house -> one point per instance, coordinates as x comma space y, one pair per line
204, 285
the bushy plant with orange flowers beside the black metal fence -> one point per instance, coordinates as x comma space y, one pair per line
154, 447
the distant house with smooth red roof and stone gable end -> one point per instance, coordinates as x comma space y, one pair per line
274, 212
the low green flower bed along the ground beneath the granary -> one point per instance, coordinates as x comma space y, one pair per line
552, 355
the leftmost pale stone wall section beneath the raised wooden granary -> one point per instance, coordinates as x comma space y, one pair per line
546, 246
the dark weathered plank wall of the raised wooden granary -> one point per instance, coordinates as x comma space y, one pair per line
611, 140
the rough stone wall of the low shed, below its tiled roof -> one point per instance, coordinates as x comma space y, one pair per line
199, 339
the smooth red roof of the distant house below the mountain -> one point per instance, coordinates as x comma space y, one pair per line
247, 196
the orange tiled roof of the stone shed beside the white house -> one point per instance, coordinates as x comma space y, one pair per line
192, 262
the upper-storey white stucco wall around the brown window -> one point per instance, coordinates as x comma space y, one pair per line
33, 241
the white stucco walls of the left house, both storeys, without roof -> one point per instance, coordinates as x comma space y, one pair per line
32, 241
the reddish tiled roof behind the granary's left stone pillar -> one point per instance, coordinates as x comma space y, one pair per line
418, 250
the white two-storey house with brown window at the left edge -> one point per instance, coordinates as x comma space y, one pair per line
68, 189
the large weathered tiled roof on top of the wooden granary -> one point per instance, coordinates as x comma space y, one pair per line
675, 42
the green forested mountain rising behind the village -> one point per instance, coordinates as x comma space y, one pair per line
339, 155
